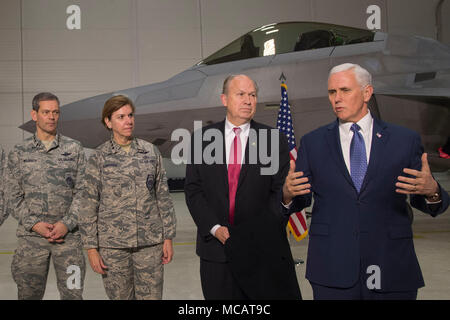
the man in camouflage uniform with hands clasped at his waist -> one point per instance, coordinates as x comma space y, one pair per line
43, 175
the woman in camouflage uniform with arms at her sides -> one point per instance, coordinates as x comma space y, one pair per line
127, 220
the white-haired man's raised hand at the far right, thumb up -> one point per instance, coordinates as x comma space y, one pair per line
422, 183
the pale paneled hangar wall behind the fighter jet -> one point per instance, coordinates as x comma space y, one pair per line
127, 43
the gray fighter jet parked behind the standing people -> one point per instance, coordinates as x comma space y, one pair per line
411, 77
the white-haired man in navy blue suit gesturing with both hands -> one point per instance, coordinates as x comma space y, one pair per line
360, 171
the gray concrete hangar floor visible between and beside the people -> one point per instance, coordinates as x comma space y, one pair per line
182, 279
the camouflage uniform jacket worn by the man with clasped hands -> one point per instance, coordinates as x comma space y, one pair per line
41, 184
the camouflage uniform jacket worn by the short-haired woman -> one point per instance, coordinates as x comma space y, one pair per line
126, 202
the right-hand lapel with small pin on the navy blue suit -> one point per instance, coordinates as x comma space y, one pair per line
379, 138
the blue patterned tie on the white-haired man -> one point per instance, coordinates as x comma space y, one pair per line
358, 158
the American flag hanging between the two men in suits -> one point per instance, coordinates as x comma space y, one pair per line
297, 220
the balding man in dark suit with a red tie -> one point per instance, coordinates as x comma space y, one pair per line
241, 238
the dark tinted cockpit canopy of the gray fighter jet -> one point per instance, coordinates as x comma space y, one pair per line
287, 37
